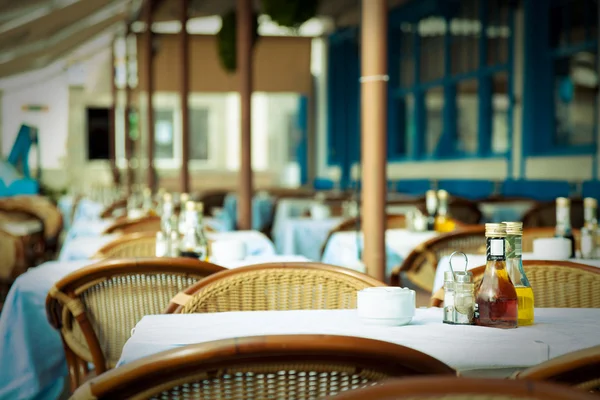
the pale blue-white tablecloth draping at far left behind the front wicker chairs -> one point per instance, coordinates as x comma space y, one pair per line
32, 361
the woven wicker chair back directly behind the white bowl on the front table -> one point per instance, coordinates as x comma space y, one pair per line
274, 286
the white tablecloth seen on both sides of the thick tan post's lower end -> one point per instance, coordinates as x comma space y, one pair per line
342, 248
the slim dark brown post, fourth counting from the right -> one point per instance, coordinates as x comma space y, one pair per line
149, 61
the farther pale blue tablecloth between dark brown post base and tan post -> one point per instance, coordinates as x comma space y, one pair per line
304, 236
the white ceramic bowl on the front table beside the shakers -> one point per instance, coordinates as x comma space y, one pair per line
389, 306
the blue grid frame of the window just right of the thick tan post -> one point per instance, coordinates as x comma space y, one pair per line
447, 146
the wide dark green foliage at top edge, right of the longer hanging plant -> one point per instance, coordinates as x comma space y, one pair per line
290, 13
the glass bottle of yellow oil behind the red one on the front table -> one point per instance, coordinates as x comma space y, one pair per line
514, 264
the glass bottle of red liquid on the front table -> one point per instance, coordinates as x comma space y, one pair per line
496, 297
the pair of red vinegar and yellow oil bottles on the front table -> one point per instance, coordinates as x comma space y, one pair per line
504, 298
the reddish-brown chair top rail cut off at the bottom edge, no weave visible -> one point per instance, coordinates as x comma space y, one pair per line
446, 388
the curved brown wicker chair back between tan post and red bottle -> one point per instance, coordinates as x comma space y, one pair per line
420, 265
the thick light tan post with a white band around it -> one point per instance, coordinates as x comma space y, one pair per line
373, 132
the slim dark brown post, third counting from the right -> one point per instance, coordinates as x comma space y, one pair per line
184, 95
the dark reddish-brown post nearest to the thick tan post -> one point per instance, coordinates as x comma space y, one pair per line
244, 67
